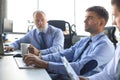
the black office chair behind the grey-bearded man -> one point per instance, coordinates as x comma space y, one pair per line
64, 25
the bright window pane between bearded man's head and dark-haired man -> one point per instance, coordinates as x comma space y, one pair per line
58, 9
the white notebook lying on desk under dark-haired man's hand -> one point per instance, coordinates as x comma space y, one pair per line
21, 65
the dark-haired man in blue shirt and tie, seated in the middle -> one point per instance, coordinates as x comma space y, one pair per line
95, 47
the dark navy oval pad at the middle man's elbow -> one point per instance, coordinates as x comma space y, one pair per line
89, 66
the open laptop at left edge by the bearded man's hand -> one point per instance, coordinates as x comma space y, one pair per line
2, 52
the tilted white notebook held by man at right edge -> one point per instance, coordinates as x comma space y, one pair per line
69, 69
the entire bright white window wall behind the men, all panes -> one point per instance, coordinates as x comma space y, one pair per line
73, 11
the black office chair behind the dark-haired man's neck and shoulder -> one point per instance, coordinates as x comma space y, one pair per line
110, 32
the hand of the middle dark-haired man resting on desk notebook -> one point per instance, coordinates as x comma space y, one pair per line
31, 59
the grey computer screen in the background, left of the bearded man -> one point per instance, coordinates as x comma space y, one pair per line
8, 26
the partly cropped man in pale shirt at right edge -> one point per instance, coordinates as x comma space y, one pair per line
112, 70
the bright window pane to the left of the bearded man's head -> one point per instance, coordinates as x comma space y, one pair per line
20, 11
